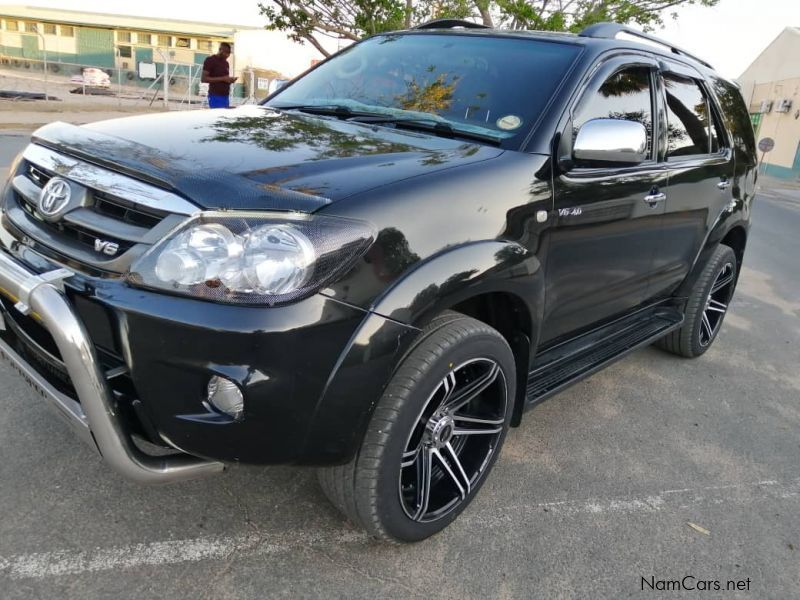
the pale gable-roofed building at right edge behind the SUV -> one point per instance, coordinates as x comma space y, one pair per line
771, 86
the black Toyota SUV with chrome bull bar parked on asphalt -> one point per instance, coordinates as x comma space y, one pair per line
382, 267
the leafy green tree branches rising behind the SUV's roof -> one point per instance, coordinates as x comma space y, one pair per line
314, 20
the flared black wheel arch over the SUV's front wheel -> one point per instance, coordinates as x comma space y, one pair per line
497, 282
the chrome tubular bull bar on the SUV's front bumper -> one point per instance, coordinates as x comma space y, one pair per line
96, 418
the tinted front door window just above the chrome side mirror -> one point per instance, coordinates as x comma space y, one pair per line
625, 95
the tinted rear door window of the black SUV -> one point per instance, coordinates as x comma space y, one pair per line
689, 129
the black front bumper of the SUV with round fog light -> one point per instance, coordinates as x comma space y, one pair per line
310, 371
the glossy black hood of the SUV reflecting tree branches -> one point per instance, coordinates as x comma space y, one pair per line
255, 158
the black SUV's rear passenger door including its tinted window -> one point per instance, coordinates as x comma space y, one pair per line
700, 168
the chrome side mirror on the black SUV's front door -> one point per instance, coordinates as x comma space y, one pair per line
611, 140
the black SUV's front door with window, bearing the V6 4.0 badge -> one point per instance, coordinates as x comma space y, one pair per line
607, 218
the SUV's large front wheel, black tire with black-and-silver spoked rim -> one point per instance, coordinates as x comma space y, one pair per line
414, 431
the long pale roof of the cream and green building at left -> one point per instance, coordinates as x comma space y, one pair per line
115, 21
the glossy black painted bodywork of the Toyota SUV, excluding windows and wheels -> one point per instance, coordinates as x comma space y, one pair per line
456, 220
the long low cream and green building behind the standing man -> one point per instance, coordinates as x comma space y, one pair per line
76, 39
